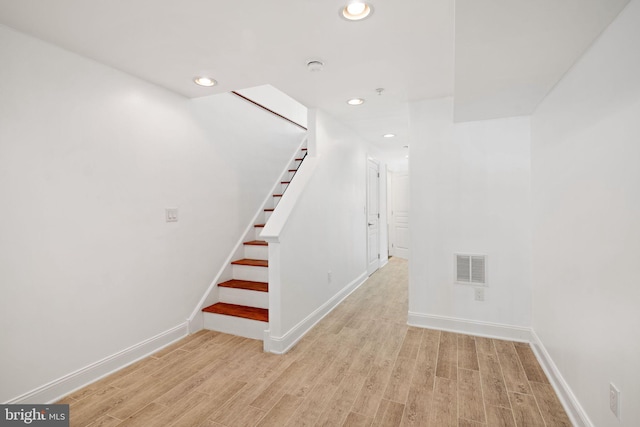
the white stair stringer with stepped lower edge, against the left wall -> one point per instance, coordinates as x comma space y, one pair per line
195, 321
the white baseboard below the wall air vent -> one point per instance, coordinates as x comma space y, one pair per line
470, 327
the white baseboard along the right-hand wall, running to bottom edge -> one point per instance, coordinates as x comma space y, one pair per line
576, 413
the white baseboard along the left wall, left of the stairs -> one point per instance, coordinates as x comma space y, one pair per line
57, 389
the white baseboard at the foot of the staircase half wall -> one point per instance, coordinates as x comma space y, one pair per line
280, 345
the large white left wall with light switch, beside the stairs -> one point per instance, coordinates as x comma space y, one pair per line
89, 159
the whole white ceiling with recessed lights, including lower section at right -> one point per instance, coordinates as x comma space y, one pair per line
507, 53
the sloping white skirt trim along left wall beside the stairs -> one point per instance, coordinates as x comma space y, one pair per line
196, 320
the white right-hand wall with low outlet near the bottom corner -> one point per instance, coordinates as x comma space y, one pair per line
586, 223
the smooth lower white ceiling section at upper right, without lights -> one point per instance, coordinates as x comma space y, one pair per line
510, 53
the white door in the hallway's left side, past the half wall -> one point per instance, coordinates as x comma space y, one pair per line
373, 217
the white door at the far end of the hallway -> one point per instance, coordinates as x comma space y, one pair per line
399, 233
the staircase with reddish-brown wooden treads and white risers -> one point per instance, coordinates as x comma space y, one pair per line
243, 307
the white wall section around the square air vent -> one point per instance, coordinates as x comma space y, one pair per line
470, 193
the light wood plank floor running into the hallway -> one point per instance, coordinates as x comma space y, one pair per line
360, 366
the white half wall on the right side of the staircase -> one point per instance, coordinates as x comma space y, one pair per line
319, 254
